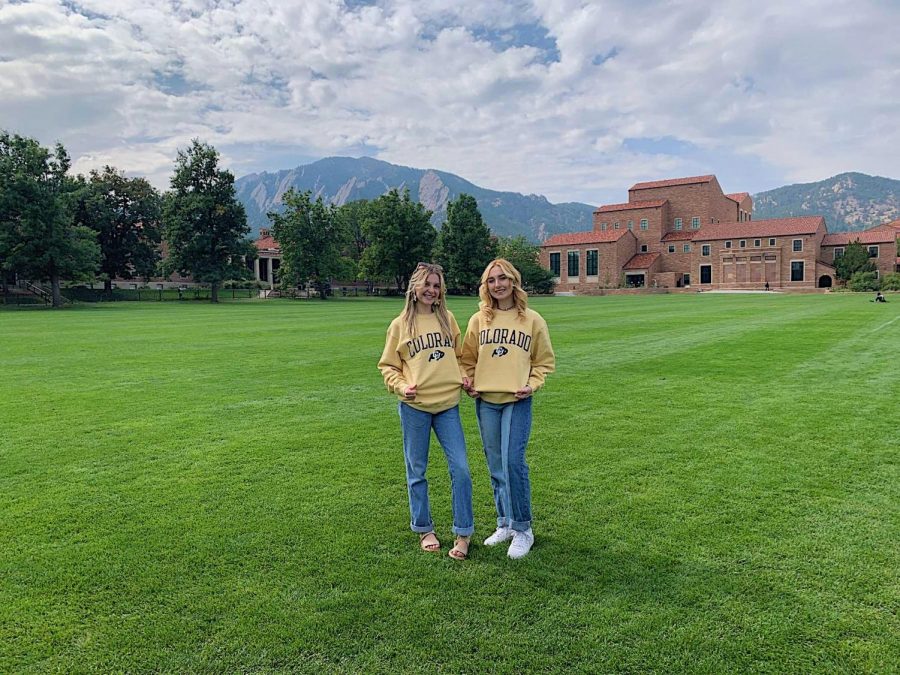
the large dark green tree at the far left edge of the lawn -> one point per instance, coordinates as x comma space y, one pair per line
38, 236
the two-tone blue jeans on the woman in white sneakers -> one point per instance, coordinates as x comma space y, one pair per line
505, 429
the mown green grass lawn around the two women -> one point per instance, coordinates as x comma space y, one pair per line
186, 487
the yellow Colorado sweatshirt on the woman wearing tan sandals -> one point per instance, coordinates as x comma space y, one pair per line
429, 359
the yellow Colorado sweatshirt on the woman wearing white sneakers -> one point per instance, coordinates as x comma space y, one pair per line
506, 354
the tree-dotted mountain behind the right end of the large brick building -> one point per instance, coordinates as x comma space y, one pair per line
848, 201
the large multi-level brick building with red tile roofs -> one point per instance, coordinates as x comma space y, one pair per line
686, 232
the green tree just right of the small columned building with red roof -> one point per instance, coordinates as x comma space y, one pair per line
309, 238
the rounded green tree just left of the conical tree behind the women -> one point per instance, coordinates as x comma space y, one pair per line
400, 235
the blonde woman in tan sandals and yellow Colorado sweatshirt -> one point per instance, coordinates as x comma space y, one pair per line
420, 365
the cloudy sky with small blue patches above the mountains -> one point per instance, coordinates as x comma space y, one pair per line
572, 99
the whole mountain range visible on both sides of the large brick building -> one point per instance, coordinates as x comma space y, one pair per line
849, 201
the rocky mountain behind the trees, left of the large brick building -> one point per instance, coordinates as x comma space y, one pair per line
343, 179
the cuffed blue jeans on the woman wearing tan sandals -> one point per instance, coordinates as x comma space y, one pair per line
417, 426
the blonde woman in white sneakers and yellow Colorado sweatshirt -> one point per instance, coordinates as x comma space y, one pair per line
507, 353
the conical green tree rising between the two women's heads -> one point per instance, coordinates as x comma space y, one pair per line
464, 245
